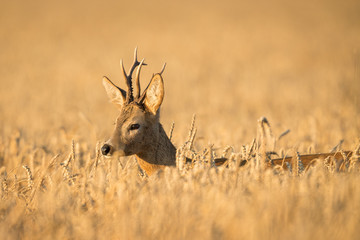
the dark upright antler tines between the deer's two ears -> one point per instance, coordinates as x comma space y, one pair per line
128, 78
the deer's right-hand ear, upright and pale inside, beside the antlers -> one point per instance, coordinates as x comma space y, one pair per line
154, 94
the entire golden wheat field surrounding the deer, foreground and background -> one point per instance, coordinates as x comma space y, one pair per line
228, 62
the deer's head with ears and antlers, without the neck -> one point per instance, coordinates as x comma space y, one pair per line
137, 126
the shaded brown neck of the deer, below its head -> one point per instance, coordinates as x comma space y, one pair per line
159, 155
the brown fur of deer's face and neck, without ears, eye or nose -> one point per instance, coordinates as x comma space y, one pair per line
152, 147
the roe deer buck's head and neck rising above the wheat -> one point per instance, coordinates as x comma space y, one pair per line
138, 130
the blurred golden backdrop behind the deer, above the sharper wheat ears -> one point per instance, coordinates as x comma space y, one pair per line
229, 62
